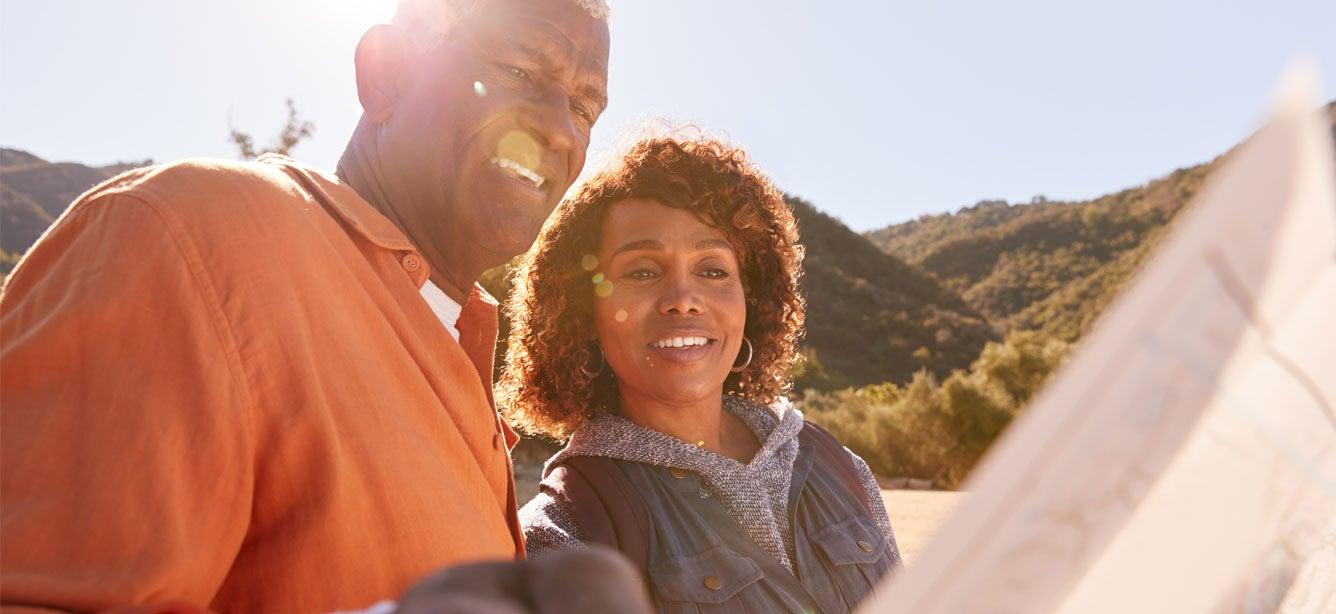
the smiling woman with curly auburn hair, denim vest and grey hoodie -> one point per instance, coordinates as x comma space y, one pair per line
655, 325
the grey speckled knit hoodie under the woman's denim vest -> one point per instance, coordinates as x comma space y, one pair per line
754, 495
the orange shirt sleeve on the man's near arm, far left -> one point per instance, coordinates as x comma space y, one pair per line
126, 433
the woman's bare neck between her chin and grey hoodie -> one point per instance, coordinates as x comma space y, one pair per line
703, 424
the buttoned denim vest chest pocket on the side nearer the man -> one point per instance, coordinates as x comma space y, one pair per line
714, 576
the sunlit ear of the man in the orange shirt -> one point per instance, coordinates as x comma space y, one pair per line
383, 66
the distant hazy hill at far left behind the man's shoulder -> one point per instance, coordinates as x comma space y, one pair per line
34, 193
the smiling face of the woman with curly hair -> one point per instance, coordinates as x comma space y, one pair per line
670, 312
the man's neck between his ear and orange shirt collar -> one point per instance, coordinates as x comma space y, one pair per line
455, 274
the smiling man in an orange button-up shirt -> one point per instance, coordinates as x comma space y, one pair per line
261, 388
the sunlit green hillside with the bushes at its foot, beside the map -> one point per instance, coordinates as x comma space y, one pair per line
1041, 273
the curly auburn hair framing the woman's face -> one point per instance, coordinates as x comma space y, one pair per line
543, 389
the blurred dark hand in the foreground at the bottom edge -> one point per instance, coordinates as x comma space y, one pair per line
594, 581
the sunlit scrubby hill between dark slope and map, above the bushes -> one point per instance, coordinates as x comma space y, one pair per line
1047, 266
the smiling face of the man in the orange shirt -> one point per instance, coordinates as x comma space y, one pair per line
495, 125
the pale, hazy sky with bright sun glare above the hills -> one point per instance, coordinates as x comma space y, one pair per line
874, 111
